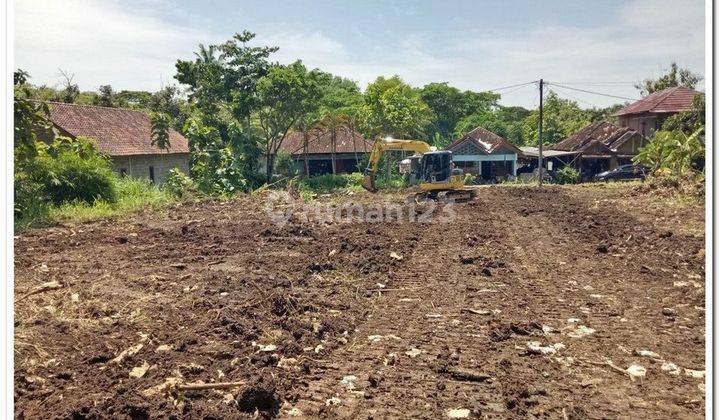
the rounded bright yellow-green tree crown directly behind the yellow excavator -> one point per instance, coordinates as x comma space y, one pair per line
393, 108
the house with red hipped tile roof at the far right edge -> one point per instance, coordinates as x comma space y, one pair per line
648, 114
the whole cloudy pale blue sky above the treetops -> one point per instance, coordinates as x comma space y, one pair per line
604, 45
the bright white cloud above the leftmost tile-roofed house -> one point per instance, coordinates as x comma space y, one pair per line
99, 42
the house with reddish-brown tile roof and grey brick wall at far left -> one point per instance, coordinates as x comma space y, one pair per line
124, 135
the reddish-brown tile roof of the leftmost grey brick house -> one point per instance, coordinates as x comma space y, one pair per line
118, 131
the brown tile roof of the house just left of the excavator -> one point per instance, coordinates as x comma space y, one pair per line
320, 142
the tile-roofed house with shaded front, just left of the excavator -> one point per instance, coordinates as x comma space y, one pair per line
325, 152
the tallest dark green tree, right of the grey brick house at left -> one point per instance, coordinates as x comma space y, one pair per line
222, 82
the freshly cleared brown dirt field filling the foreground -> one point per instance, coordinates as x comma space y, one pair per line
579, 302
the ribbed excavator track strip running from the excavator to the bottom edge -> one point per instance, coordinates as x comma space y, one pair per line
395, 351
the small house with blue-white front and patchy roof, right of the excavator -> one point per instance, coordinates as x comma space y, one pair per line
486, 155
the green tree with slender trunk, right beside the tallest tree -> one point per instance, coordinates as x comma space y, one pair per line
284, 96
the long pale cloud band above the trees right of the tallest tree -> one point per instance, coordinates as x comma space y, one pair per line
634, 47
